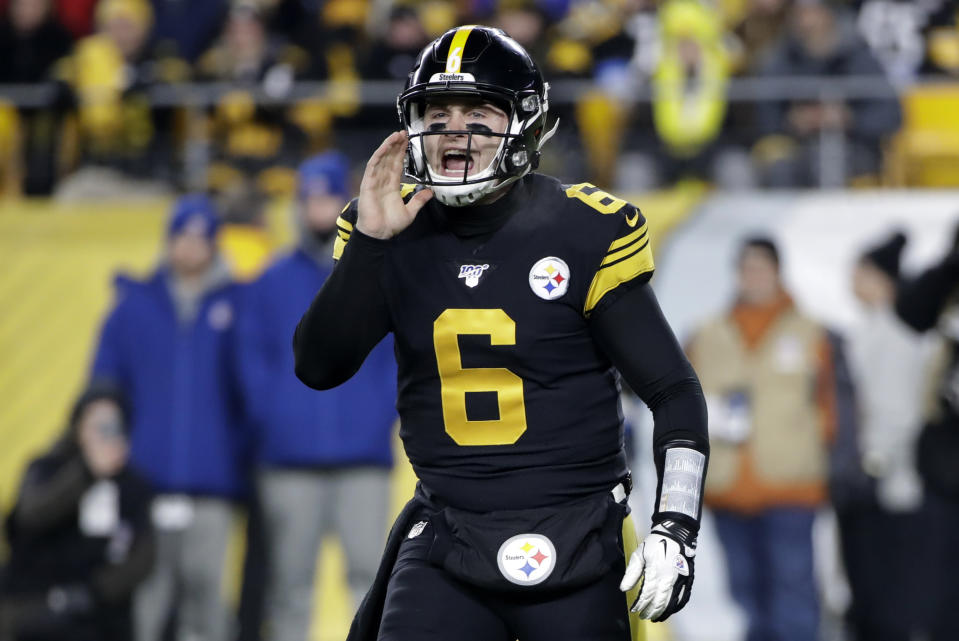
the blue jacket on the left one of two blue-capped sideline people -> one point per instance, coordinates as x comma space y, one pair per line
187, 434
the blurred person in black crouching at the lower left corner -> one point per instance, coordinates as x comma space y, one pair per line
80, 535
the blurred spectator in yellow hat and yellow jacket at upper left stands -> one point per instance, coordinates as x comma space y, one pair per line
126, 145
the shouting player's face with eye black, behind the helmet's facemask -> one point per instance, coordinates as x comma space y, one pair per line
446, 154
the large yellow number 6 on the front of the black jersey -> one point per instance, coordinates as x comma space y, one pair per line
456, 381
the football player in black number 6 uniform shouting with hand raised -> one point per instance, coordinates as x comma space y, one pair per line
514, 301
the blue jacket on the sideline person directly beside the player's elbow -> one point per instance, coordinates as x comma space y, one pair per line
293, 425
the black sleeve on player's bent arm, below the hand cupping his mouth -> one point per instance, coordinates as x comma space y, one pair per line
348, 317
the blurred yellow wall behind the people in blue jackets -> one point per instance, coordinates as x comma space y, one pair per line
57, 264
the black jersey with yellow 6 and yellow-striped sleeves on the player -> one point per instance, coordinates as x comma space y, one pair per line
505, 399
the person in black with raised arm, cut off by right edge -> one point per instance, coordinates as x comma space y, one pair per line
931, 302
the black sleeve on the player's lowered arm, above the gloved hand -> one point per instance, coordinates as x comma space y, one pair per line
634, 334
